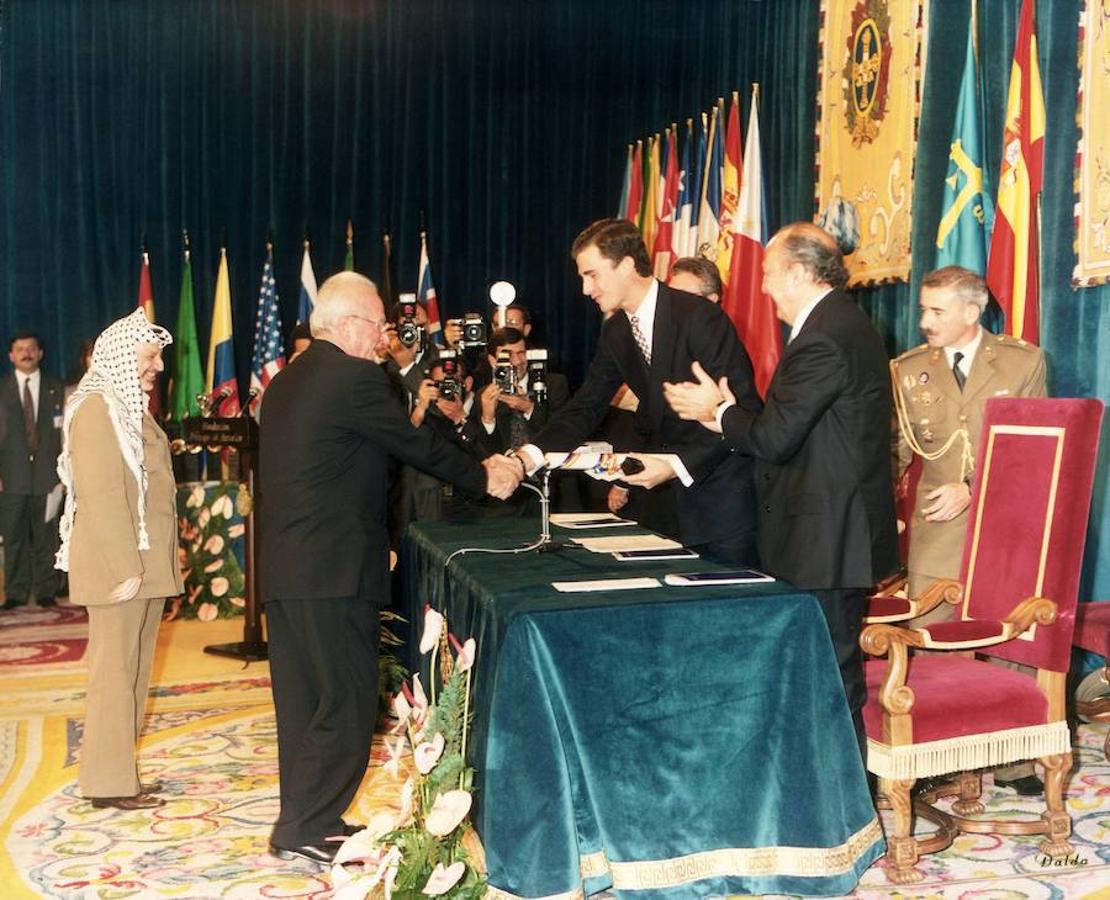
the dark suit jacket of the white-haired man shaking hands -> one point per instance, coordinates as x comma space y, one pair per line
329, 426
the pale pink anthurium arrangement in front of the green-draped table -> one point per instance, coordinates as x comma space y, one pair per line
420, 852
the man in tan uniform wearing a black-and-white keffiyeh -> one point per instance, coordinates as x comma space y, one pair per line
119, 543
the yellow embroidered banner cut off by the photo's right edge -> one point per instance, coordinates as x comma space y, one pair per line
1093, 156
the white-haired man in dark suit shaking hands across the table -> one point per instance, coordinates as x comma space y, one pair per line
330, 422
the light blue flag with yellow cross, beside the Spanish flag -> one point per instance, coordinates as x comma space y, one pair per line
964, 234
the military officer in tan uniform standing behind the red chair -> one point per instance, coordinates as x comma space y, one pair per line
942, 389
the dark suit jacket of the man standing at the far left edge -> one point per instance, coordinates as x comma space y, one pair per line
18, 471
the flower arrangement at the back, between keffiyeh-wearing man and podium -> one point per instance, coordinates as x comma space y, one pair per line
208, 525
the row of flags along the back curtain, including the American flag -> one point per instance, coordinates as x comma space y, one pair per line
219, 380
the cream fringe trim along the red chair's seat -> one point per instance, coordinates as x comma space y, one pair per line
972, 752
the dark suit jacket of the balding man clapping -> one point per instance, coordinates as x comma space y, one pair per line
823, 451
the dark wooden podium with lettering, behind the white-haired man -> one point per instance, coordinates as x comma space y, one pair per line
241, 434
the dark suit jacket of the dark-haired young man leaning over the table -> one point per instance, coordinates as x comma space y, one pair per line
721, 503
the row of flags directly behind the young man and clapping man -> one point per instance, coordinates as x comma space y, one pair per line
709, 201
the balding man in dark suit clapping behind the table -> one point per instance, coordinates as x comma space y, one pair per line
822, 443
